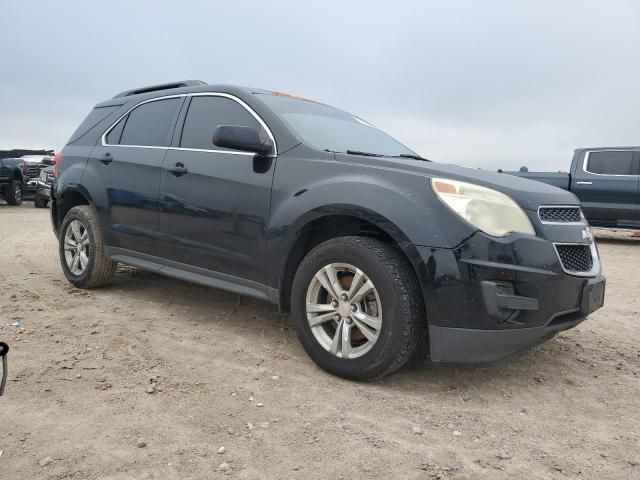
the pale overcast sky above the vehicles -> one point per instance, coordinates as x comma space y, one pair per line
491, 84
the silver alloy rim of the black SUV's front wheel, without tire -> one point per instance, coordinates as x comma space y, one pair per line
344, 310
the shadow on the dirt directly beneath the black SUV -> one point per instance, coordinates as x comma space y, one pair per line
207, 306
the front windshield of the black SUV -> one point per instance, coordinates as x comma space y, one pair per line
327, 128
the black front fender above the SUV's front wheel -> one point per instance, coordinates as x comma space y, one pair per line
354, 191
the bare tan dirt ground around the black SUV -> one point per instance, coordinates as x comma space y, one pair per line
150, 377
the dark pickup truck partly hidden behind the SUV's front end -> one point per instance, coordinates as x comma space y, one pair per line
605, 180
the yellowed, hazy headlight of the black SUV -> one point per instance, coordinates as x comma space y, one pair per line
492, 212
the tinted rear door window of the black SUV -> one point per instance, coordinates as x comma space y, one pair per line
148, 124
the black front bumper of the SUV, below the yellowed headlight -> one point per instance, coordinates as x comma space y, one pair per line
491, 298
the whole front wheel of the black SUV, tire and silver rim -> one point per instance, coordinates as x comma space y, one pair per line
394, 303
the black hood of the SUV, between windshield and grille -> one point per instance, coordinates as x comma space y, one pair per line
528, 194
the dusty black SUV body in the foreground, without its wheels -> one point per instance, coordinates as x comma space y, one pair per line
243, 221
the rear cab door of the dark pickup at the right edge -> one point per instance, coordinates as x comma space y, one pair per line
606, 182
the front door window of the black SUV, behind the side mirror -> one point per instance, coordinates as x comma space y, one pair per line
206, 114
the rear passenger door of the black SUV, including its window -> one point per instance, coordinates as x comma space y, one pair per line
126, 165
